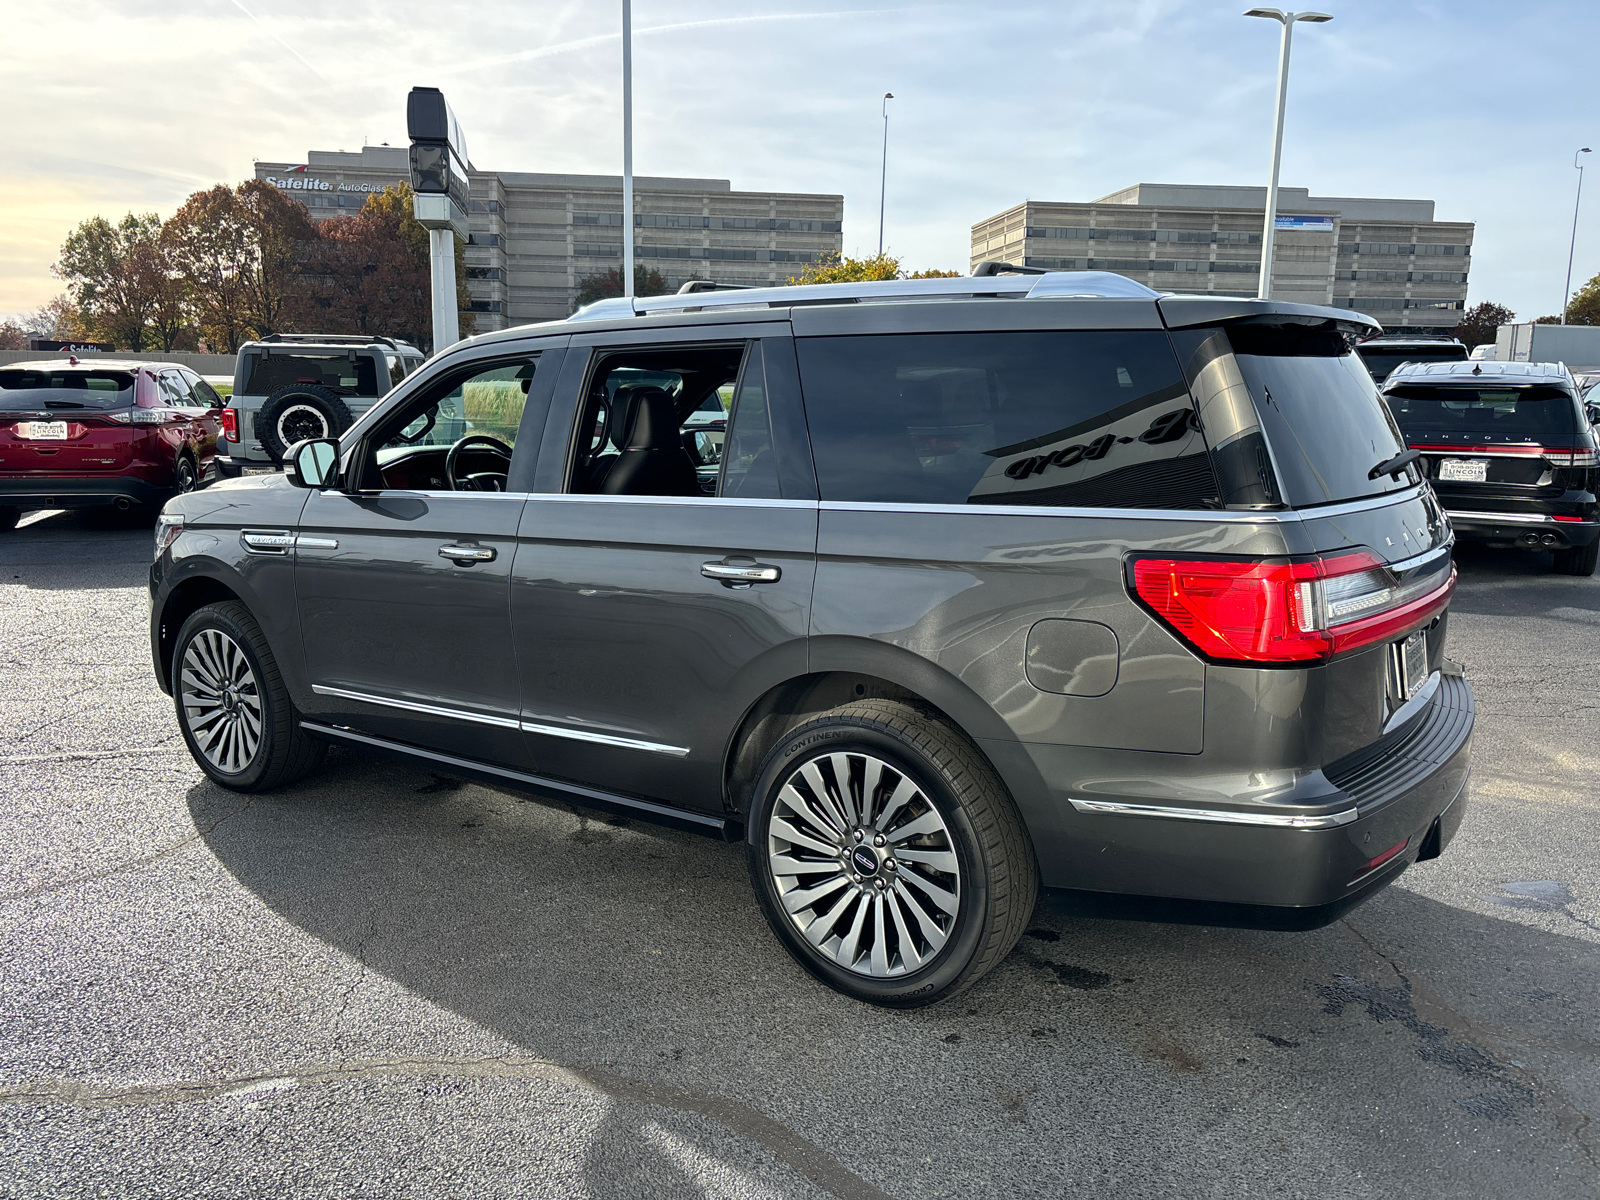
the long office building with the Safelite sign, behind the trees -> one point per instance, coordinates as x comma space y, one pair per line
537, 236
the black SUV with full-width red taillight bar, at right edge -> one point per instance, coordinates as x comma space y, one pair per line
1511, 454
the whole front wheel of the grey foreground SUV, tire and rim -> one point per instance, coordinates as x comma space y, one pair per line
233, 708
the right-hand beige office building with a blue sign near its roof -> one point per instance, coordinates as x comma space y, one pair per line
1386, 258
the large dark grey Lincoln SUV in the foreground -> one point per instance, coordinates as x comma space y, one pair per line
1004, 582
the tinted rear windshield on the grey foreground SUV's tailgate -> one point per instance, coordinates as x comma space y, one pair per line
1321, 414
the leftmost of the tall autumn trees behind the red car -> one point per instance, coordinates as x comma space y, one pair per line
114, 278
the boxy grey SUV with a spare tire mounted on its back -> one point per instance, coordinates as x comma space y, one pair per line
295, 386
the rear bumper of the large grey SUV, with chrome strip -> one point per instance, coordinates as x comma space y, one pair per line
1305, 865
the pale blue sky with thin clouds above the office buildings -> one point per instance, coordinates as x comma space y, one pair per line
114, 108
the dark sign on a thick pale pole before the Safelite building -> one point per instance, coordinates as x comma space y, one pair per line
439, 185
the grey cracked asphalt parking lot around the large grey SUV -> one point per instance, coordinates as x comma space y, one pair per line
386, 983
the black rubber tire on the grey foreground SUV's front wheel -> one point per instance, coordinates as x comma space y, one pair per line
284, 751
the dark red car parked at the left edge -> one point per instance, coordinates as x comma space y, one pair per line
103, 433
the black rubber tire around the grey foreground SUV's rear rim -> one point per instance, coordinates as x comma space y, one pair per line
998, 884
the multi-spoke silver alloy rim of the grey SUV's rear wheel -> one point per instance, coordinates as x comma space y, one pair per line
865, 865
